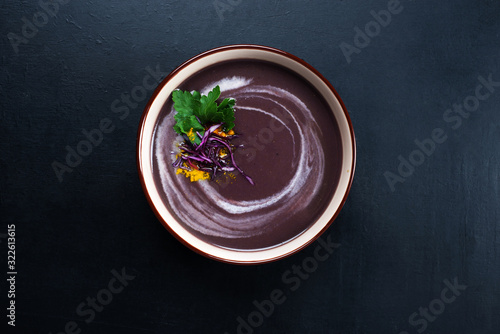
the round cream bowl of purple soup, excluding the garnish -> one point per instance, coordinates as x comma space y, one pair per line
295, 140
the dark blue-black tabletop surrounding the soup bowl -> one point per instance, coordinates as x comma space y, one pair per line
397, 248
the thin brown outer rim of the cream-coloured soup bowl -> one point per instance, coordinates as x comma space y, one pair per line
218, 50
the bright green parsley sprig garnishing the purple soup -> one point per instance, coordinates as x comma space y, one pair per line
196, 111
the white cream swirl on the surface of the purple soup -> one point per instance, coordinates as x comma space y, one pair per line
210, 212
